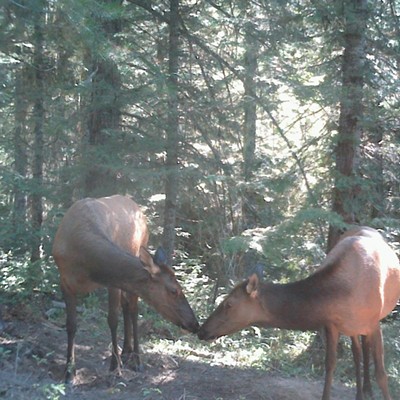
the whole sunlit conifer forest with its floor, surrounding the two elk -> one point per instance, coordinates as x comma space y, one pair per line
251, 133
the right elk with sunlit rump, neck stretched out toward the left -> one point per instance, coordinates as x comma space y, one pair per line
356, 286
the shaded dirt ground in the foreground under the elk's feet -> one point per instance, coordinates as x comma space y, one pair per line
32, 357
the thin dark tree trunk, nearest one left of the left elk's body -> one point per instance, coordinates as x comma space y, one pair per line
38, 121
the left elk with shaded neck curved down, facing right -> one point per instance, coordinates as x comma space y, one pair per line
101, 242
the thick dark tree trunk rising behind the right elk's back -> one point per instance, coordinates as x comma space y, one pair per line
346, 190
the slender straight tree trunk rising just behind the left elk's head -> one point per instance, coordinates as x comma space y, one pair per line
172, 142
